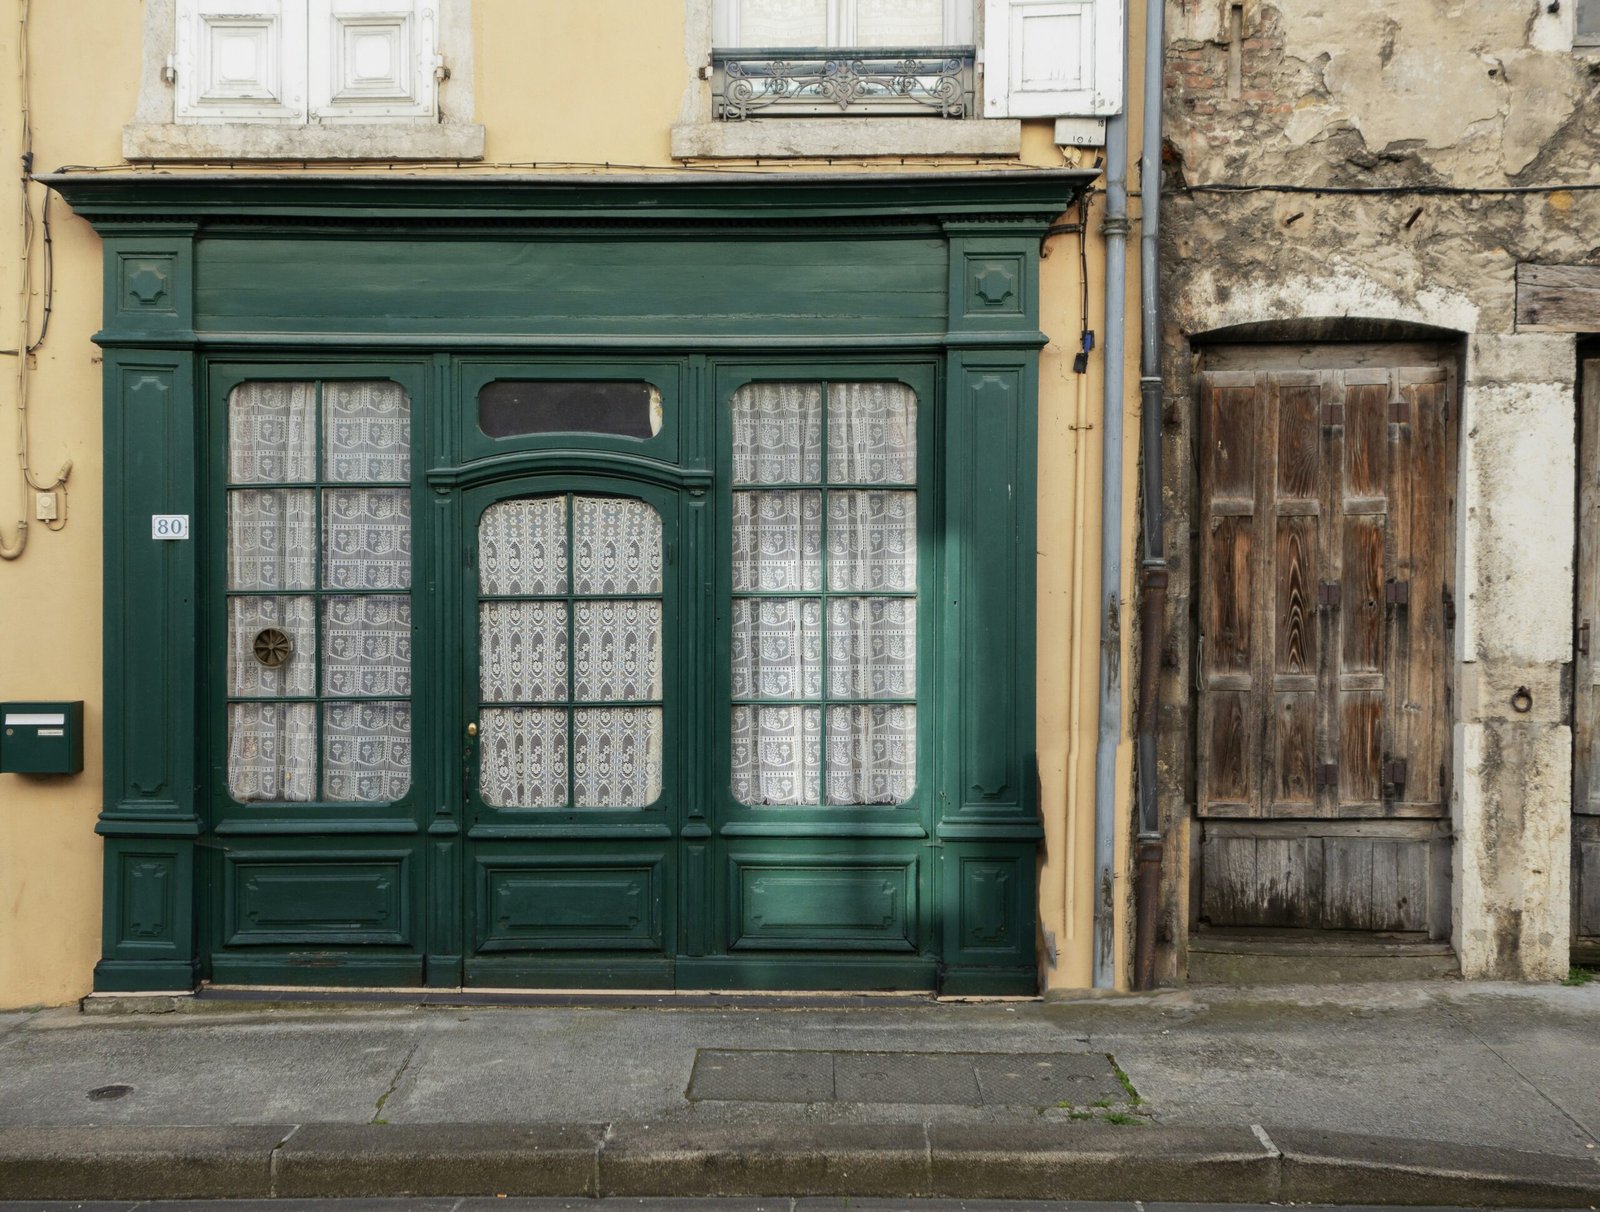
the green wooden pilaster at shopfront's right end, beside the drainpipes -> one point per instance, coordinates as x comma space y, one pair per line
990, 826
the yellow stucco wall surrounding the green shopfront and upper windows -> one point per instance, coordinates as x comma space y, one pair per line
86, 81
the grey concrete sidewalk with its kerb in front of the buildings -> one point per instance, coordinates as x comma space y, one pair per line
1420, 1093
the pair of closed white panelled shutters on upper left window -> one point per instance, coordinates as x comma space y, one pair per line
294, 62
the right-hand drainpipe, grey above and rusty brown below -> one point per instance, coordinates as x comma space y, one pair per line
1154, 567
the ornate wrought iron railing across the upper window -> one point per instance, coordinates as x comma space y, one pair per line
935, 82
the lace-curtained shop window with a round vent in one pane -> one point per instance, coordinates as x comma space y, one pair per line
342, 728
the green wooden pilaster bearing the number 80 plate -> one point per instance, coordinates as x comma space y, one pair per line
151, 815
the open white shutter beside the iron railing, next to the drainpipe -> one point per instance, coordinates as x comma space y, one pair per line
1052, 58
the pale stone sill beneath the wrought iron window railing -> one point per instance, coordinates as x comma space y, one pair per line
802, 137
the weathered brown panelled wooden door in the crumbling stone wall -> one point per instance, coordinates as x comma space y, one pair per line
1324, 600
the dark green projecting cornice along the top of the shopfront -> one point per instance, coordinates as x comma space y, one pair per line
1012, 199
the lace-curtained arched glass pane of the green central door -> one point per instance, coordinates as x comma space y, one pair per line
596, 660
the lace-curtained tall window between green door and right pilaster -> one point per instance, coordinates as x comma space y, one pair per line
825, 663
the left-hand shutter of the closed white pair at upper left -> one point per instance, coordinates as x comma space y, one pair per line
241, 60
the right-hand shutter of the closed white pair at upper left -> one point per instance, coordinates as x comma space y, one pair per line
372, 60
